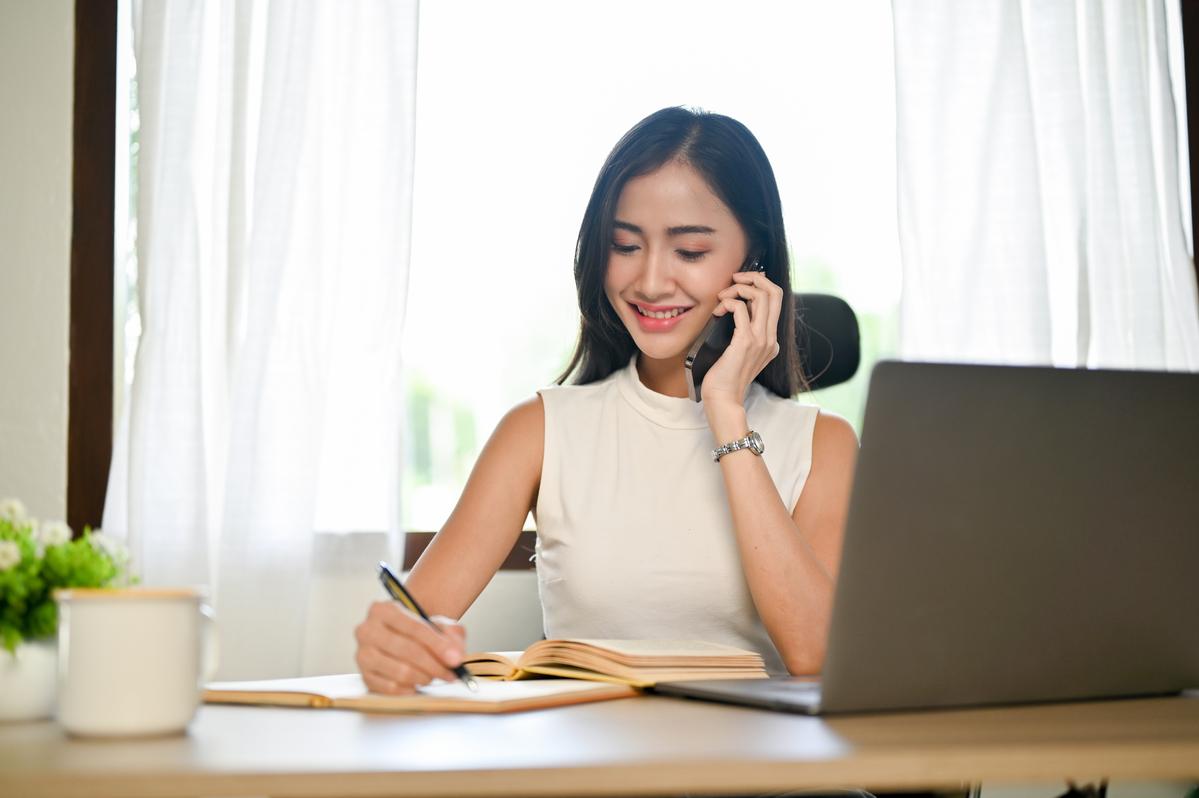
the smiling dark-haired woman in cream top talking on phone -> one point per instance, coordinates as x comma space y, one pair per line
641, 533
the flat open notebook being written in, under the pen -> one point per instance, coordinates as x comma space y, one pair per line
348, 692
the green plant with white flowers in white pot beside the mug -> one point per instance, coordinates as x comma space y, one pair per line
35, 560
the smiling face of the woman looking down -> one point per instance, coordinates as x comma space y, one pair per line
676, 245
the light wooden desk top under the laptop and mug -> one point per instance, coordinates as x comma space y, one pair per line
648, 746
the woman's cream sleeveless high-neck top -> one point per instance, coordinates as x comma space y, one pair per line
635, 536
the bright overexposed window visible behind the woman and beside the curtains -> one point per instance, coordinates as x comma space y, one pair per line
517, 108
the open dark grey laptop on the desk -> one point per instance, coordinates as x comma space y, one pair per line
1015, 535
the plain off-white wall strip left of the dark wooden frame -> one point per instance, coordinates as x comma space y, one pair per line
37, 96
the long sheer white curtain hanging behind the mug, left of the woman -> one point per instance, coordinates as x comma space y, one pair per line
275, 203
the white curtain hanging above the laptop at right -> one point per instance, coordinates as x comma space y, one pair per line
1044, 199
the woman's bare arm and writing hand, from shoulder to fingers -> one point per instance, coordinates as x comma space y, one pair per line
397, 650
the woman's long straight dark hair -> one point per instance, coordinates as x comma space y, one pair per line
728, 158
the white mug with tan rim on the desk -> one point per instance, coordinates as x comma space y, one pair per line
132, 662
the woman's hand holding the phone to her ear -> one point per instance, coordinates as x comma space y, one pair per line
755, 304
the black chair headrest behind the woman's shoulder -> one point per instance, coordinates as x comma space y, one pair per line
828, 336
